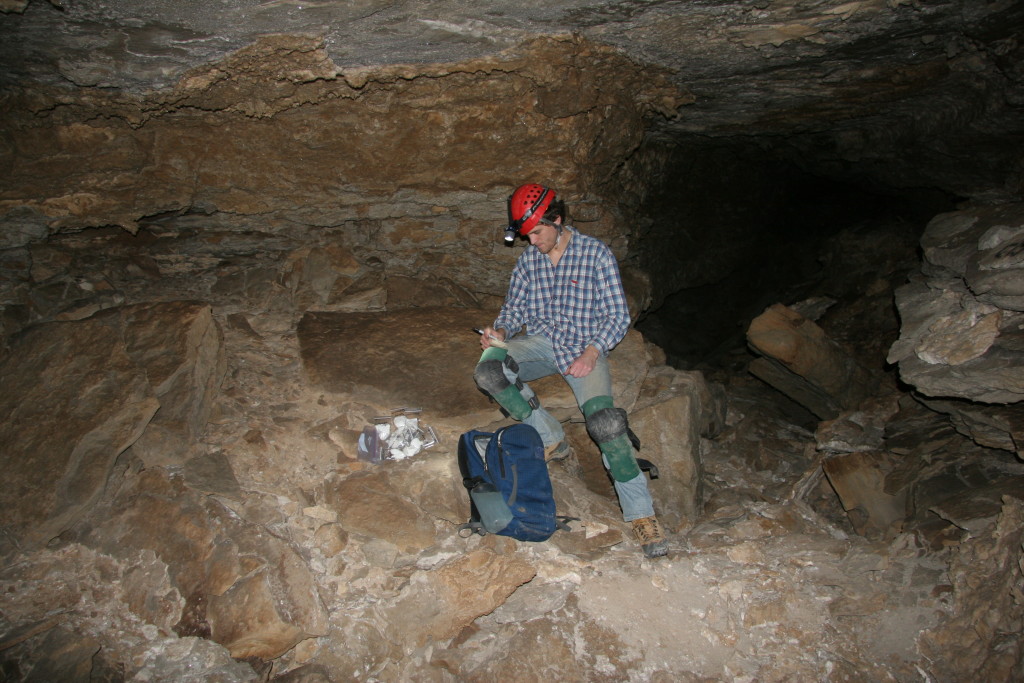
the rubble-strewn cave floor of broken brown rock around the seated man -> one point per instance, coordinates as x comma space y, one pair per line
268, 541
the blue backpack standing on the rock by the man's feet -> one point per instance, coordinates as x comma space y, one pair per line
508, 484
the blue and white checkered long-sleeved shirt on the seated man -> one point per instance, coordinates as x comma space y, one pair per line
579, 304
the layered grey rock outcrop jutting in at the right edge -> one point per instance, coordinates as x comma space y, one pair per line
961, 334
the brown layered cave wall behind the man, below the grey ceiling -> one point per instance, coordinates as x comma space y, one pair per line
412, 163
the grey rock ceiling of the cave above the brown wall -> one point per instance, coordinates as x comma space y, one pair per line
909, 93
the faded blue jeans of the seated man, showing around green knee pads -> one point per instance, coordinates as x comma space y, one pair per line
536, 358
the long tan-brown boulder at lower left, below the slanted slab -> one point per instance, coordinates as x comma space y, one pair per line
243, 587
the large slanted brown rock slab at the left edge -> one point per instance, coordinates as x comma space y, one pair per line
79, 394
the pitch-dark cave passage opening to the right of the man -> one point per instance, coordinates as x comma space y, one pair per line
732, 230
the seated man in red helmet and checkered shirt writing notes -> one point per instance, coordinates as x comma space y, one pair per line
567, 290
